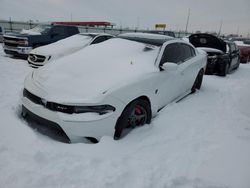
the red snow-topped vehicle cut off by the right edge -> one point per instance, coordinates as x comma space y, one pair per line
244, 47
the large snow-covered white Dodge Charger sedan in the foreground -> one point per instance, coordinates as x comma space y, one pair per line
114, 86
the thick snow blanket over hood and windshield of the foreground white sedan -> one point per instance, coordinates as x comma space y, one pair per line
92, 71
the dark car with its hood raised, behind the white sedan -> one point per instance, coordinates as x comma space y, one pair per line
222, 56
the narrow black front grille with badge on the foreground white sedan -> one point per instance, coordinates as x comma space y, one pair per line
49, 105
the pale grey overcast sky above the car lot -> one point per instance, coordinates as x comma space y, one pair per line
205, 15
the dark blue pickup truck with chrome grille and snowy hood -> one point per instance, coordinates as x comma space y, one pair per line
20, 44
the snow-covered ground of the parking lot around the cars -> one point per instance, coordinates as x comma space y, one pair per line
202, 141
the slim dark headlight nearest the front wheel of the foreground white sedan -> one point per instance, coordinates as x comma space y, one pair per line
100, 109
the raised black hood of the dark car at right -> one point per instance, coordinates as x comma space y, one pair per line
207, 41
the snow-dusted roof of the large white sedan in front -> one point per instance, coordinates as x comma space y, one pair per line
148, 38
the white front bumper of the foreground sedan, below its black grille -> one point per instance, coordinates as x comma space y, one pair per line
75, 126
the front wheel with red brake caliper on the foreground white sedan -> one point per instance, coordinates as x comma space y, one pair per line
136, 113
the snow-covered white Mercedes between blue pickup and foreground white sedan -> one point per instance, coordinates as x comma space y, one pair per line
42, 55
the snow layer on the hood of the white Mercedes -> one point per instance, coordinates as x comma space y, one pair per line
64, 46
